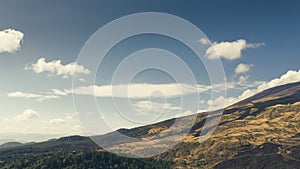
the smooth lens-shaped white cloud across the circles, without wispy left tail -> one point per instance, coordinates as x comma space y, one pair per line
170, 90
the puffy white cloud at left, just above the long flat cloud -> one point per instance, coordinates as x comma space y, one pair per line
56, 68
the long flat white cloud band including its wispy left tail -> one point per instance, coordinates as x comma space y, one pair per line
133, 91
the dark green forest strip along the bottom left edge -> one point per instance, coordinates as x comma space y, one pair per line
82, 160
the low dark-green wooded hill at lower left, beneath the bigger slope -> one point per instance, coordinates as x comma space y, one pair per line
68, 153
